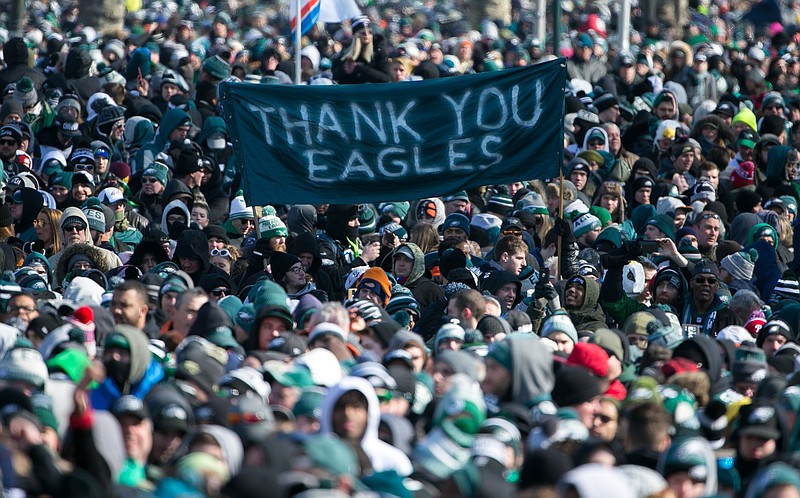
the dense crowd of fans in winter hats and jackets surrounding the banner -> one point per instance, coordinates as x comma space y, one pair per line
630, 329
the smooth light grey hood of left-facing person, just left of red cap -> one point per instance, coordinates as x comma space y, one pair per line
532, 372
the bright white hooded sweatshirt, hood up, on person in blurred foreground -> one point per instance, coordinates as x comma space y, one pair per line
382, 456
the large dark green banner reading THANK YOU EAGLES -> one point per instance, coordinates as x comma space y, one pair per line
396, 141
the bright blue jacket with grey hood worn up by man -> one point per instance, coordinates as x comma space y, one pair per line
145, 372
